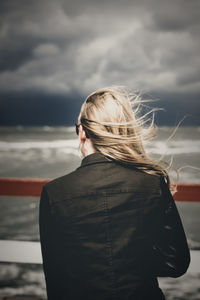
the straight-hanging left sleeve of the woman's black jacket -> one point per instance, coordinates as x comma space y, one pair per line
49, 238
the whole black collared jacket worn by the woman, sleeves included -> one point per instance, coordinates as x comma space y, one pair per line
108, 231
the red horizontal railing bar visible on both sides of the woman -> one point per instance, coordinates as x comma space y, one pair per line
31, 187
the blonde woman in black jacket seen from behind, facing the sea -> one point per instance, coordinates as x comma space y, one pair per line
111, 227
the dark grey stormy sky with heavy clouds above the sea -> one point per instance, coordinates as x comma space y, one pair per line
53, 53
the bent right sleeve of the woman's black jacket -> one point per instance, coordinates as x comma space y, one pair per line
170, 255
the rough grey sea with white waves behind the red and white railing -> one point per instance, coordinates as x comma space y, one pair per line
50, 152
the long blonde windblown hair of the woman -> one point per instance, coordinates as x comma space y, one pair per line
111, 118
